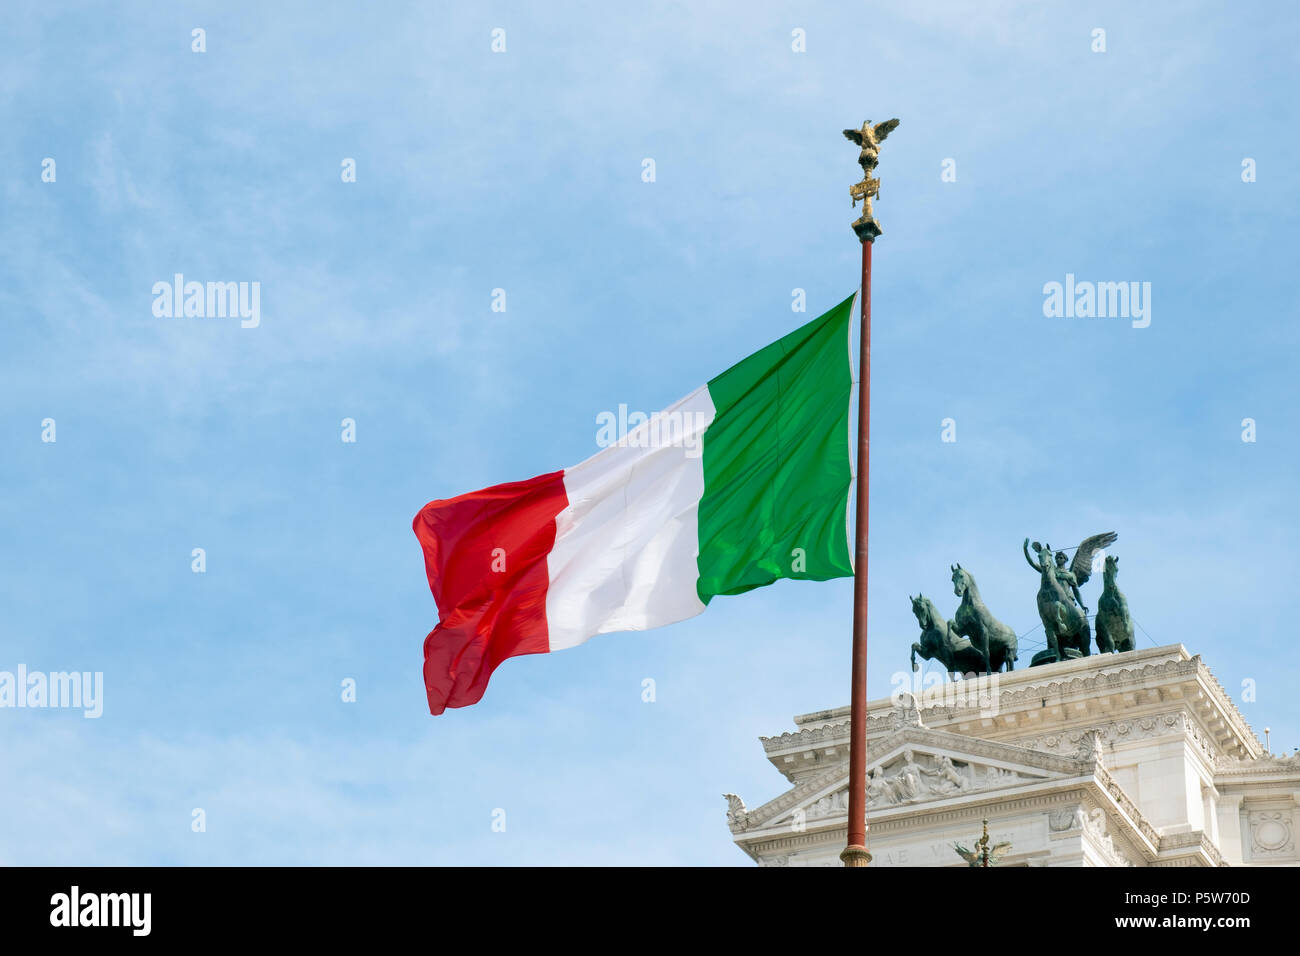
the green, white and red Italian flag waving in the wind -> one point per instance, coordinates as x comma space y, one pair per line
742, 483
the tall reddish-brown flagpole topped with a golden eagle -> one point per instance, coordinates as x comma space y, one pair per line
868, 230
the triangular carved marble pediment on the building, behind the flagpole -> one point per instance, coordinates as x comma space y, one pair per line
911, 768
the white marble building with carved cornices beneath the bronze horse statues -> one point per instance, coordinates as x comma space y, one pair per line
1113, 760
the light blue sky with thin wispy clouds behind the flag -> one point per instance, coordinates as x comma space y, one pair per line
522, 171
